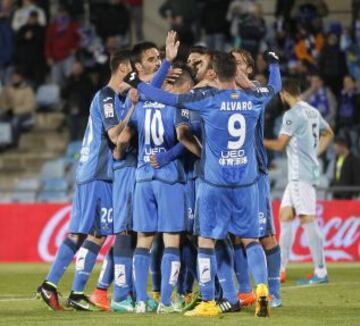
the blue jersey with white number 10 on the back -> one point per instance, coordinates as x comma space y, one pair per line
155, 124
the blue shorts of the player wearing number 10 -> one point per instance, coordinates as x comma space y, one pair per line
159, 207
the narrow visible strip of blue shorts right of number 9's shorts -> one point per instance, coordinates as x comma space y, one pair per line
266, 219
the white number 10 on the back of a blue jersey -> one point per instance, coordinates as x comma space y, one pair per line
154, 128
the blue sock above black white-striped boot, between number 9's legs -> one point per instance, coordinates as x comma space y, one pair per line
225, 267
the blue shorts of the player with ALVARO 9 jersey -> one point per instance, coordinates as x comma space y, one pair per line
222, 210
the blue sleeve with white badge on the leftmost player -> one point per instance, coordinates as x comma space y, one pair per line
106, 103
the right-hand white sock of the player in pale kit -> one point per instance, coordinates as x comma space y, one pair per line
316, 246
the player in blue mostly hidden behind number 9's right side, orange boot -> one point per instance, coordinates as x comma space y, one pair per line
246, 68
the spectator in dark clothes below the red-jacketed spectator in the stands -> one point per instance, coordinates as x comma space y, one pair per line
77, 94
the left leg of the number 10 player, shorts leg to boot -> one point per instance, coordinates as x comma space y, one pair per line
146, 225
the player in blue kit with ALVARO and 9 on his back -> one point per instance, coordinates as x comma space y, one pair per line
228, 200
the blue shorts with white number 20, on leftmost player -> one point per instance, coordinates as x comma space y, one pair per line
92, 211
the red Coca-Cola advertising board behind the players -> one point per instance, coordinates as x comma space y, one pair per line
33, 232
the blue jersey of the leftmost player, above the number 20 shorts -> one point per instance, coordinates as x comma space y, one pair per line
96, 152
